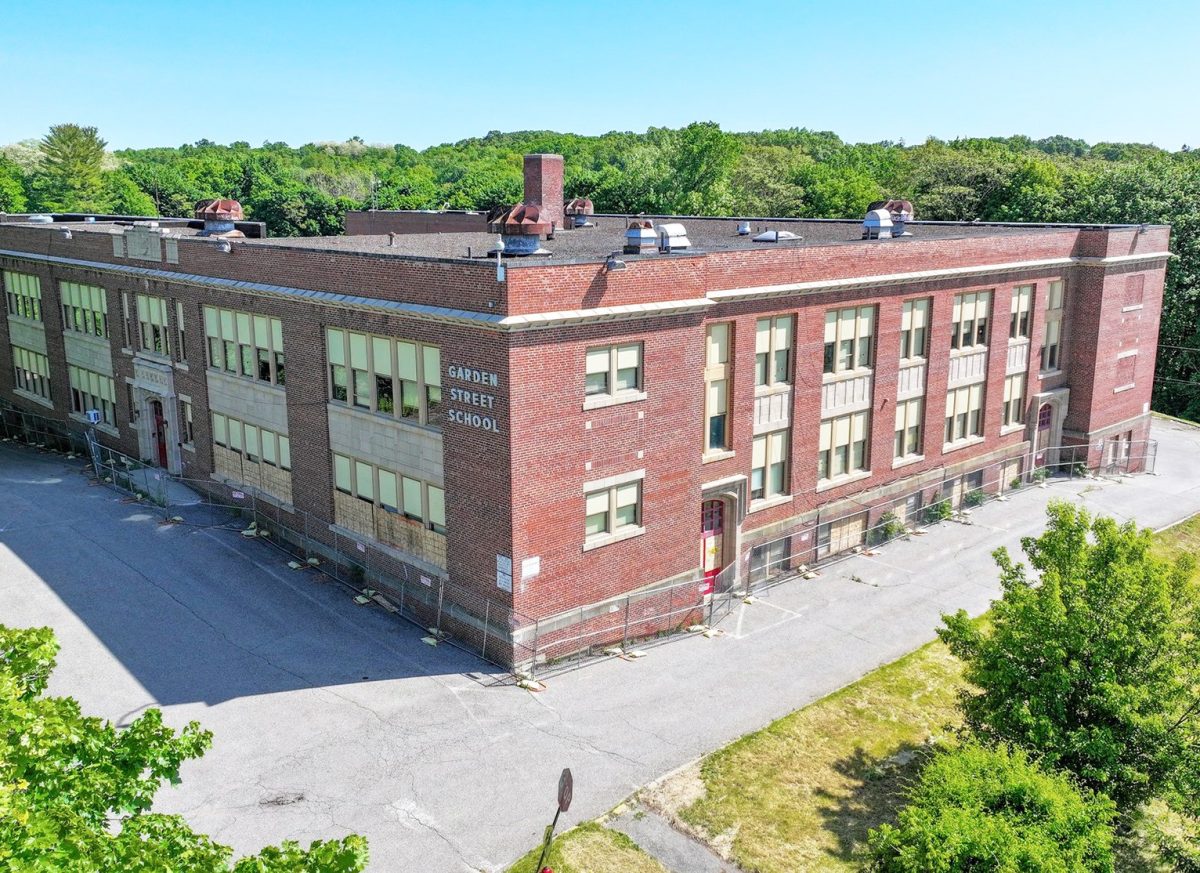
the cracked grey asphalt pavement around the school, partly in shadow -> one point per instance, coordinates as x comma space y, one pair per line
332, 718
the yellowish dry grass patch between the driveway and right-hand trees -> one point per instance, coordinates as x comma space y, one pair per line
803, 793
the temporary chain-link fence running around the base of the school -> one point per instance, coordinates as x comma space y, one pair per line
452, 613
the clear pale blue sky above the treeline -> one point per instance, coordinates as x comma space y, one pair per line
170, 73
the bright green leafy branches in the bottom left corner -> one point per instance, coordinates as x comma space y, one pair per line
76, 792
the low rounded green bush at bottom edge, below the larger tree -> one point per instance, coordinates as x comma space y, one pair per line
979, 809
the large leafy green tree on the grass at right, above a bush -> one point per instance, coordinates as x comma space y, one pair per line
1095, 666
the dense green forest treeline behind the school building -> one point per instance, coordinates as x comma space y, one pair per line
698, 170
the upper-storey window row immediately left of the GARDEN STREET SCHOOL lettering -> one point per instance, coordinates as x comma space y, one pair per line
386, 376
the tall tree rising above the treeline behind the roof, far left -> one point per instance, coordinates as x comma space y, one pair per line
71, 174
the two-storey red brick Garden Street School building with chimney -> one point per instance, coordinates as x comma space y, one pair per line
608, 405
